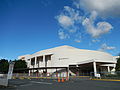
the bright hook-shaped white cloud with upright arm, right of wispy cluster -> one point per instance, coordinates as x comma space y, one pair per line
96, 30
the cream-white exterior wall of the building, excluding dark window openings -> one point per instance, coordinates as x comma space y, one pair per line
64, 56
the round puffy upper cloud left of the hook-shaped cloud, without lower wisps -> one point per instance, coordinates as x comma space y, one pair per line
68, 19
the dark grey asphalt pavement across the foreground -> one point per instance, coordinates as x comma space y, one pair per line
41, 84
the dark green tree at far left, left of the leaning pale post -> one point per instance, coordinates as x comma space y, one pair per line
4, 65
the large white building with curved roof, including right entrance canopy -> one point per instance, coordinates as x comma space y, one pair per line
67, 56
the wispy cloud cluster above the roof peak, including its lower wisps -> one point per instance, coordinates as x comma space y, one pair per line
69, 20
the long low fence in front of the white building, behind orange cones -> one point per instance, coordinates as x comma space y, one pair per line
54, 76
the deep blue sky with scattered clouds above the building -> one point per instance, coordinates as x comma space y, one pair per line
28, 26
